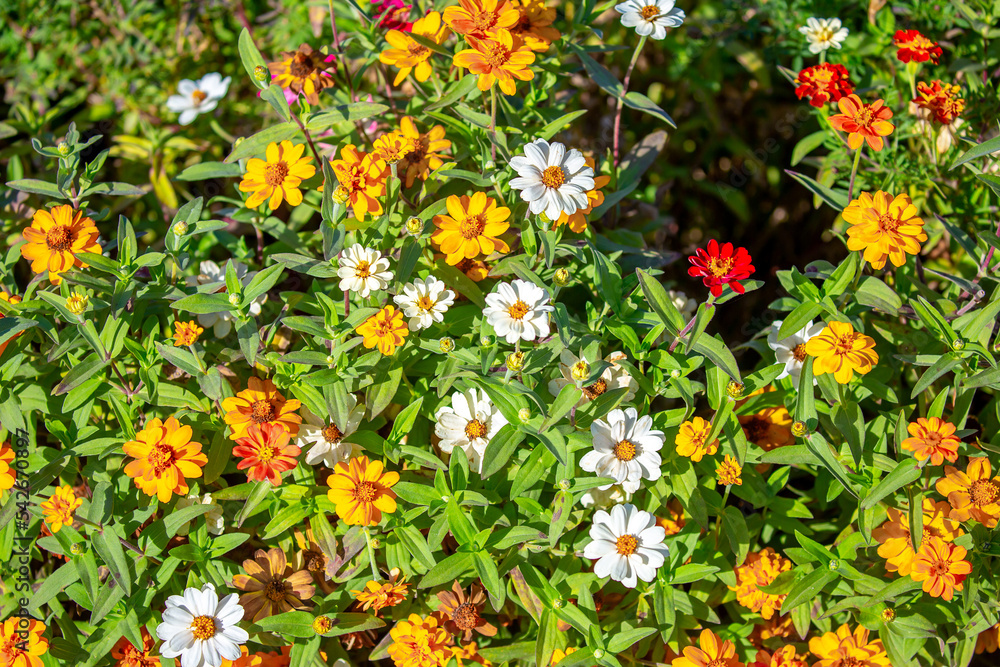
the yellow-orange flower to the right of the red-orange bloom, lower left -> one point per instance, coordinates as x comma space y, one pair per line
361, 490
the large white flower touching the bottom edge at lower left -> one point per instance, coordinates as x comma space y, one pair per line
202, 629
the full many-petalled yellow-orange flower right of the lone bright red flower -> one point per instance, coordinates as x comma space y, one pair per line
883, 227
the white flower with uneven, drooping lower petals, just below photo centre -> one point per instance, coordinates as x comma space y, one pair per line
469, 422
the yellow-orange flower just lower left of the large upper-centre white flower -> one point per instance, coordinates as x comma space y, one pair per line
471, 228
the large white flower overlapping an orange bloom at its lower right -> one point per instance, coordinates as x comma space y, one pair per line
552, 180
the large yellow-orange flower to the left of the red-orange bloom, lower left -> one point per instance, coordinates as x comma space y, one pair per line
165, 458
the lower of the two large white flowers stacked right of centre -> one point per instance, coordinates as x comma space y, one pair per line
627, 544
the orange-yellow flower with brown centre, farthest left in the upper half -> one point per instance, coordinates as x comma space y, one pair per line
54, 238
